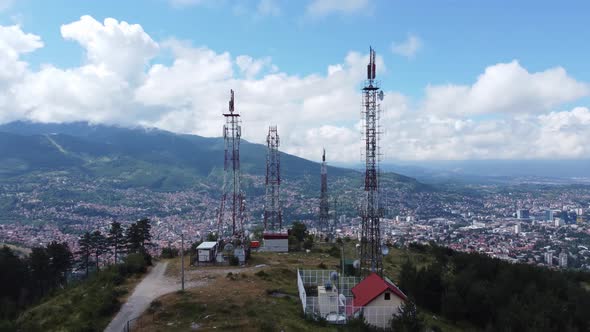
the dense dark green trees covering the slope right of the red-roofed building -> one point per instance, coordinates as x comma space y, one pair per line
497, 295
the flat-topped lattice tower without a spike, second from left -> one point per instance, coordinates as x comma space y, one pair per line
273, 218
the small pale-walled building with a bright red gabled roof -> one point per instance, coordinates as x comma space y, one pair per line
378, 299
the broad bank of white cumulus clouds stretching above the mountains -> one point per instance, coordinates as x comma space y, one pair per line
189, 95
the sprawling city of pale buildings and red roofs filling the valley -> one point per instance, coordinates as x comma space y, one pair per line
540, 224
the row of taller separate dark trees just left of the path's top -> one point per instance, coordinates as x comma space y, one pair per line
93, 245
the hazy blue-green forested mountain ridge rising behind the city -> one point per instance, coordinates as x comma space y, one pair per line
137, 156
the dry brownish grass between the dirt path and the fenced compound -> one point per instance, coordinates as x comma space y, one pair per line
244, 301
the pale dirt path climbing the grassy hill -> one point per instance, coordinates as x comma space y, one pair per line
154, 285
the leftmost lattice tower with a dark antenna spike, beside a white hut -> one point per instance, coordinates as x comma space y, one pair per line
231, 211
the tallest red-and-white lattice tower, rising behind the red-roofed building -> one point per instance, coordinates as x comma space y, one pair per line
371, 256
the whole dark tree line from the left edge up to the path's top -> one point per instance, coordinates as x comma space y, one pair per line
26, 280
